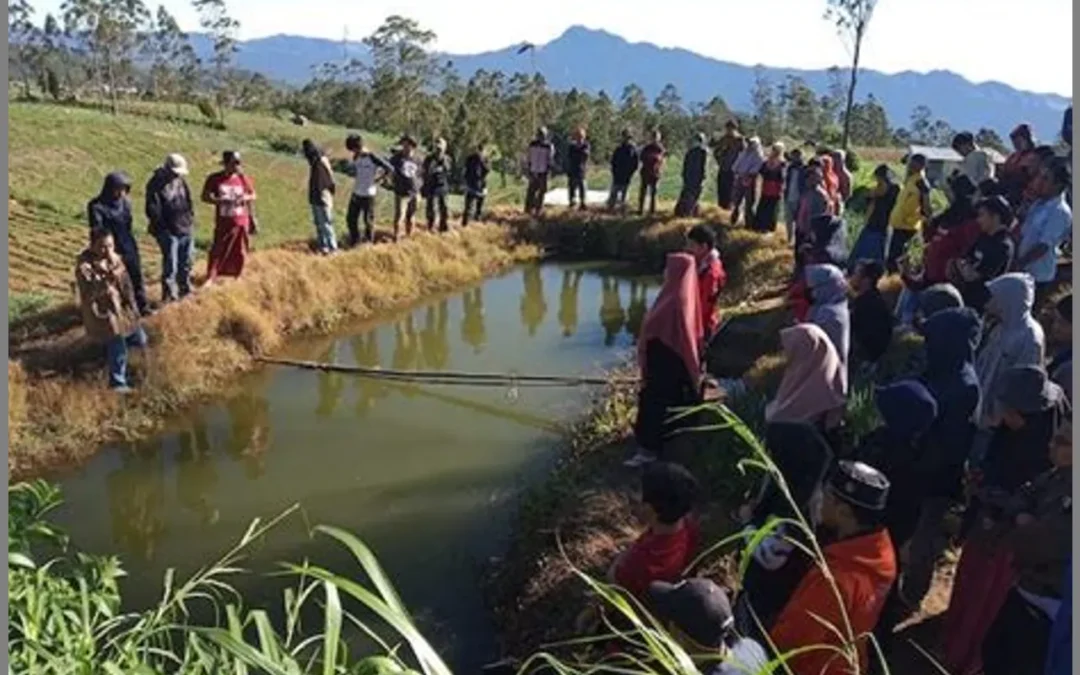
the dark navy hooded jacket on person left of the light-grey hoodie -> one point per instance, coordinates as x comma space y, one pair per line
952, 337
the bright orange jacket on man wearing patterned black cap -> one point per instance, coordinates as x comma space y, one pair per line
865, 570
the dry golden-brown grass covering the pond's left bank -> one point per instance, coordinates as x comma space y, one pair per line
198, 347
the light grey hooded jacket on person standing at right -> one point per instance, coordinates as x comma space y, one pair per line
1017, 341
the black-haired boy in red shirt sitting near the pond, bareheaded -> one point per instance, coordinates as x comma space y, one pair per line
667, 547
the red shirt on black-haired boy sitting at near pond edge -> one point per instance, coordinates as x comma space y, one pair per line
657, 558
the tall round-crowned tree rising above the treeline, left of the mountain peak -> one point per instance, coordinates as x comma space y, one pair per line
402, 70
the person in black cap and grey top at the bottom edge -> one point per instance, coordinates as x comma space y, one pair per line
698, 615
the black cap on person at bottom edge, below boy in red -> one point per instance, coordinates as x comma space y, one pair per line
697, 607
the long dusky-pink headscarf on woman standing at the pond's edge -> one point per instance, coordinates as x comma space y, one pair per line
676, 317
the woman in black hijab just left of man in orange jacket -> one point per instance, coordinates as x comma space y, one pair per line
803, 457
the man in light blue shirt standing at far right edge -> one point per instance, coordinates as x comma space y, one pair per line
1048, 225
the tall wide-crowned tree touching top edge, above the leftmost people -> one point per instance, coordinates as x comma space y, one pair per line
111, 31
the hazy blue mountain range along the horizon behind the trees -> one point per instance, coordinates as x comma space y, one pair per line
596, 60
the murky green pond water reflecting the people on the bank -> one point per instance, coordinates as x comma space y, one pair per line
427, 476
